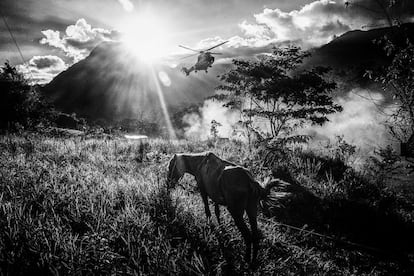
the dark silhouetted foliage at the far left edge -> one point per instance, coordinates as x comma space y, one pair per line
21, 105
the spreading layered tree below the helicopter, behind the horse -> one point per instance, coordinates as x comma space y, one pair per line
274, 97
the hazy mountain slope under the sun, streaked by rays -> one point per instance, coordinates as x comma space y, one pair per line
112, 84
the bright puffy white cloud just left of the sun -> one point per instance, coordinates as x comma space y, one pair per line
78, 40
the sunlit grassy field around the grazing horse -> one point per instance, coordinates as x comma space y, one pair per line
87, 206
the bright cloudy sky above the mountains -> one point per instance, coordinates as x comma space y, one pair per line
54, 34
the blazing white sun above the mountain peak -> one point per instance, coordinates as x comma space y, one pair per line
146, 36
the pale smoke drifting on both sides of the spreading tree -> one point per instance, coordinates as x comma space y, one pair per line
360, 123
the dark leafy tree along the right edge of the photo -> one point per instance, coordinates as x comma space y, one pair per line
397, 77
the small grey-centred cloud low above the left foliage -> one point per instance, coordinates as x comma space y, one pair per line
42, 69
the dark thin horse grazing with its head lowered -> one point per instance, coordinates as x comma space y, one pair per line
226, 184
